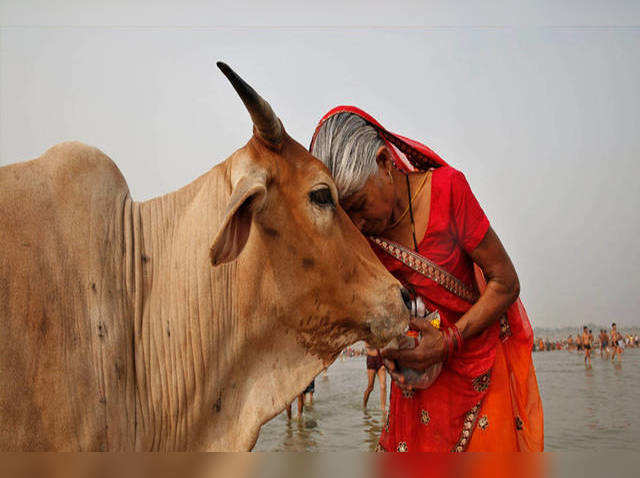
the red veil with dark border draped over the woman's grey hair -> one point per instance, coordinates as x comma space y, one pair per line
407, 155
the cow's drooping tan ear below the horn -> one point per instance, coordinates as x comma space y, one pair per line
247, 197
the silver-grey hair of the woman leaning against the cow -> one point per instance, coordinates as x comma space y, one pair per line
347, 145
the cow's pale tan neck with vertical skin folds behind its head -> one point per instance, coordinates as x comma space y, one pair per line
212, 363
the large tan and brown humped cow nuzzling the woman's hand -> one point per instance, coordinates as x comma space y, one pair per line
184, 322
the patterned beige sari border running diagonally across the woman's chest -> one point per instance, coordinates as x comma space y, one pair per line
427, 268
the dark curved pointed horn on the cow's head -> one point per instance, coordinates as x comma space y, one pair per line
265, 121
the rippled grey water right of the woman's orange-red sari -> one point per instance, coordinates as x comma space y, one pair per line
590, 409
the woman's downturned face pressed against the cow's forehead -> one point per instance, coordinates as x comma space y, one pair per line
371, 208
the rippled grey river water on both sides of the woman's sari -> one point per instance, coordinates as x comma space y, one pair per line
585, 409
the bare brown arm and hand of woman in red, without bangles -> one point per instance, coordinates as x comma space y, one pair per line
502, 290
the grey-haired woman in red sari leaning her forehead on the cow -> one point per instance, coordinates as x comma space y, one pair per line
430, 232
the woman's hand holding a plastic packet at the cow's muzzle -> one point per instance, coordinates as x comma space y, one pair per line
429, 351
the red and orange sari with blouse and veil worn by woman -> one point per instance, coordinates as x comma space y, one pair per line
486, 397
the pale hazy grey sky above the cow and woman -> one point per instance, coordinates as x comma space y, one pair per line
538, 106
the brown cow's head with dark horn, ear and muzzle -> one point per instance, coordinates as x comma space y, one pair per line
320, 274
